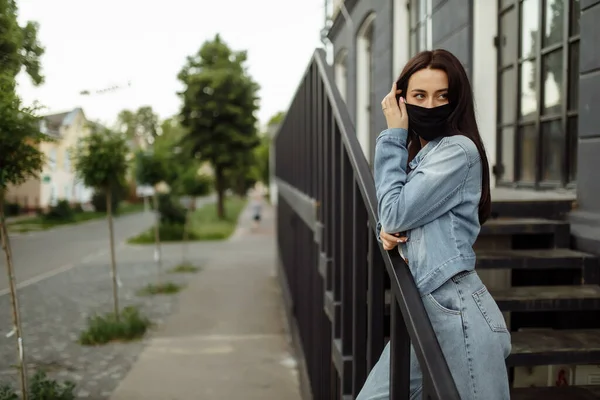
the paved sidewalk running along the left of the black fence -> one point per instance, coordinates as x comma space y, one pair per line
227, 340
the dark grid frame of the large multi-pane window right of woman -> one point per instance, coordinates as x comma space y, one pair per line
565, 114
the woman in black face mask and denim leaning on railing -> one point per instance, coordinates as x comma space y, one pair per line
433, 192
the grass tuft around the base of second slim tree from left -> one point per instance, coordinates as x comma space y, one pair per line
106, 328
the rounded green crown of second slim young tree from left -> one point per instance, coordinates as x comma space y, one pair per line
101, 159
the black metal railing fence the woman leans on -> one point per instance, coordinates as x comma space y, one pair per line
333, 270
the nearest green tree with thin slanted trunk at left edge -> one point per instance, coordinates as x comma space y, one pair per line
20, 157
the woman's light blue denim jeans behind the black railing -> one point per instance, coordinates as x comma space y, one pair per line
474, 339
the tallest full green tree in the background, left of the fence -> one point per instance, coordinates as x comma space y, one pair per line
219, 102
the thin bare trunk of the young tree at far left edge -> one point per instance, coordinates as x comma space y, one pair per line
14, 301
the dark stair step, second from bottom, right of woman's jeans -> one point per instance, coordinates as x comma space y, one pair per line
547, 347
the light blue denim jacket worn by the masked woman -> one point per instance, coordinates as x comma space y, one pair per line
436, 204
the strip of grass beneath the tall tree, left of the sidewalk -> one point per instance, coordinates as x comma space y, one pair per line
205, 225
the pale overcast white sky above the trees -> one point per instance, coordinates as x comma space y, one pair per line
95, 44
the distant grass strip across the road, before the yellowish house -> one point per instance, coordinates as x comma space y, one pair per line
39, 223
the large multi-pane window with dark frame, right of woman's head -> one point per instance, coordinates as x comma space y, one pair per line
538, 82
